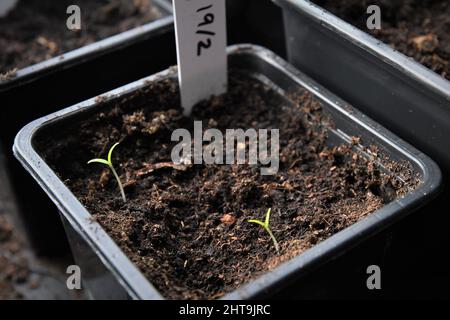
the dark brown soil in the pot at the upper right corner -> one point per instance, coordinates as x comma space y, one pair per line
418, 28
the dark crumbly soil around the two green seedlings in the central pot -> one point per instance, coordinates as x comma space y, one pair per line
185, 226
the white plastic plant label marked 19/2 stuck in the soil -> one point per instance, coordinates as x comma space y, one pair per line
200, 28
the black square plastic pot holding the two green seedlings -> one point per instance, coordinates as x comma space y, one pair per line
108, 273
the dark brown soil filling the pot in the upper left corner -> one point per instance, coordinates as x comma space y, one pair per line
35, 30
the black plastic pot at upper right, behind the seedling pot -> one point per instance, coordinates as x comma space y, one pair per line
395, 90
